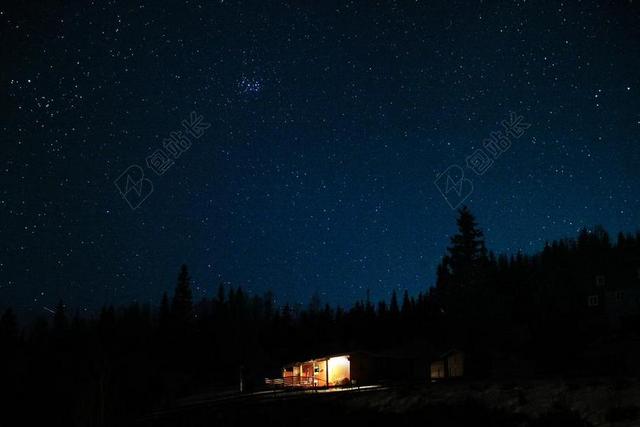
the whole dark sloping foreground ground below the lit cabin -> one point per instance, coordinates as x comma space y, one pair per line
593, 402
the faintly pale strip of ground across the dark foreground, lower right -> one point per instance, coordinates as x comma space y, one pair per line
598, 400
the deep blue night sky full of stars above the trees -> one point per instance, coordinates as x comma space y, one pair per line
323, 127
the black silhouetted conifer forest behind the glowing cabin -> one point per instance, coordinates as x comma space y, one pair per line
111, 367
